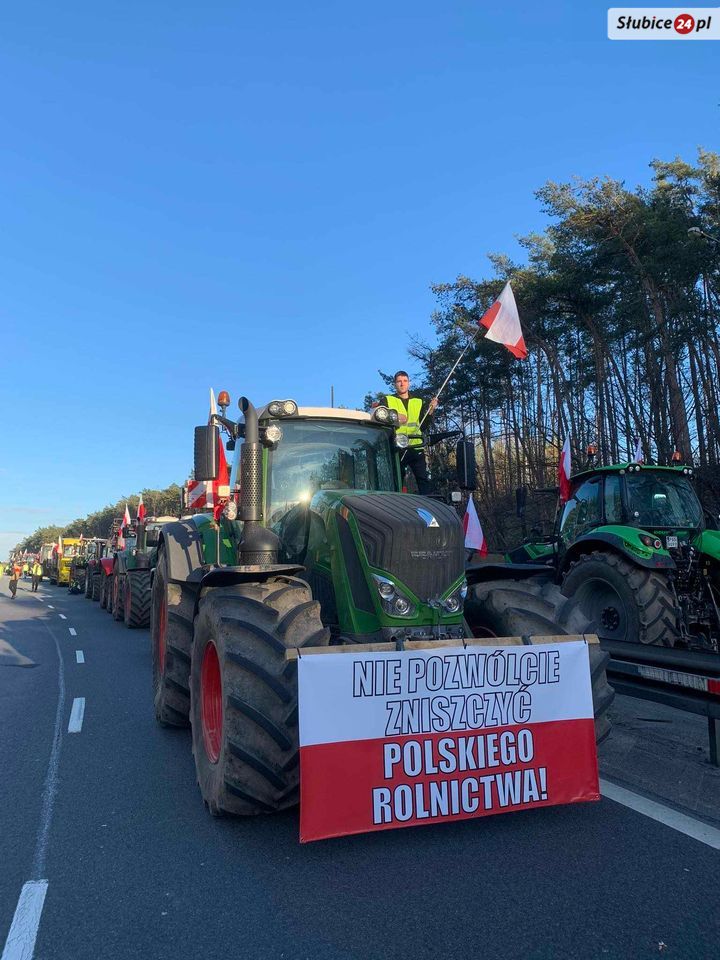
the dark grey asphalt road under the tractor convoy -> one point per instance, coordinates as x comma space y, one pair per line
137, 868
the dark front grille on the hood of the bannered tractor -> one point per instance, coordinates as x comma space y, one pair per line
399, 541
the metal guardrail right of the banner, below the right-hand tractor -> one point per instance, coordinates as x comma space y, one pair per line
683, 679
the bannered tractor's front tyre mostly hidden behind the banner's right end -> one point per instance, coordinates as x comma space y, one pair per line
537, 608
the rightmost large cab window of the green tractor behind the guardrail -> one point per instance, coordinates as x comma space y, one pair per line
661, 500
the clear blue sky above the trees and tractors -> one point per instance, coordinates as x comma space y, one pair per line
257, 198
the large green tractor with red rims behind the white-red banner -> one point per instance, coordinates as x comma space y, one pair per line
323, 548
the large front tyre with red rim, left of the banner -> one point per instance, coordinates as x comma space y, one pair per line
243, 694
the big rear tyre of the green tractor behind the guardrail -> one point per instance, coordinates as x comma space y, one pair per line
623, 601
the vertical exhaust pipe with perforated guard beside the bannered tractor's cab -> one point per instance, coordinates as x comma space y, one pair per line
259, 545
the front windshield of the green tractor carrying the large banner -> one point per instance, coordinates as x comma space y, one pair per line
327, 455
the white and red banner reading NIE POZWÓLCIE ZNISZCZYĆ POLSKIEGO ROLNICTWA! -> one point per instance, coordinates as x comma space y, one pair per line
393, 739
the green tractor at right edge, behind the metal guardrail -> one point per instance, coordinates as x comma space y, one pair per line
634, 549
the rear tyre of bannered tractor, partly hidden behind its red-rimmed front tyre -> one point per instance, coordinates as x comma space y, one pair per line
171, 633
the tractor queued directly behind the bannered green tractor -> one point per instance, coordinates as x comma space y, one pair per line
132, 573
